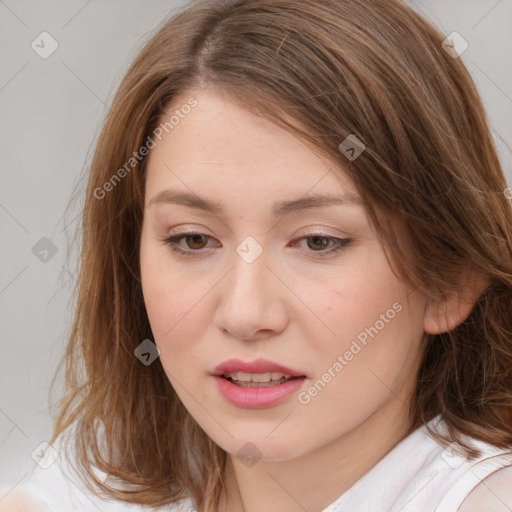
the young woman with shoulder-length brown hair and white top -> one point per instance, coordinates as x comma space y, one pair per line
296, 277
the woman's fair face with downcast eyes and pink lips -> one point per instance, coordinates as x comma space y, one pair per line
272, 271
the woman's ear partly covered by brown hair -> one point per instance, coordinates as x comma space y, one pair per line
446, 313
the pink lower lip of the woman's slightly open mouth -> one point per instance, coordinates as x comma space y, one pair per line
257, 397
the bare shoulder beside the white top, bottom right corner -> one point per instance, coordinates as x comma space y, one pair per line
492, 493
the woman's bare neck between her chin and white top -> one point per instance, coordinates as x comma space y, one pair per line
313, 481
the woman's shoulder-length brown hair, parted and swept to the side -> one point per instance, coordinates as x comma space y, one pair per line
375, 70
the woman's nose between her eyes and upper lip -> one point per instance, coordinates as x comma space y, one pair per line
252, 302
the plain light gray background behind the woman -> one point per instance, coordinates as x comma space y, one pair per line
51, 111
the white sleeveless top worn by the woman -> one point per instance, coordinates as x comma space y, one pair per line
417, 475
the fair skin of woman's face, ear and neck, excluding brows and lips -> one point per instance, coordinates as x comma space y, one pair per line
290, 305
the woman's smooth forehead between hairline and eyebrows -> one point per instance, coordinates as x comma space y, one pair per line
222, 148
